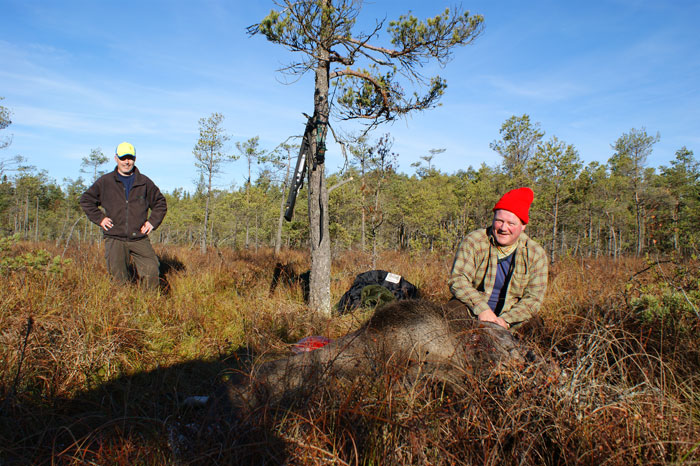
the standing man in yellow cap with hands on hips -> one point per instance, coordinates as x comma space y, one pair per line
126, 197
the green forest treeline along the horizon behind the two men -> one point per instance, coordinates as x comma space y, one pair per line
622, 207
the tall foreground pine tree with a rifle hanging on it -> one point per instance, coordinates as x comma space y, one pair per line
370, 79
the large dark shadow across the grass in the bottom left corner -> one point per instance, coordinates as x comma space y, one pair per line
140, 418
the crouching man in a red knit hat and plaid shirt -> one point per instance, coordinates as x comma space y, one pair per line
499, 274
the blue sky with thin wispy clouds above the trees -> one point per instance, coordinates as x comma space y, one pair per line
79, 75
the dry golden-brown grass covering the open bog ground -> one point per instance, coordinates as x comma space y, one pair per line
100, 376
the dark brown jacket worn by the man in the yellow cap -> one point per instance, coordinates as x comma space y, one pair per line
128, 215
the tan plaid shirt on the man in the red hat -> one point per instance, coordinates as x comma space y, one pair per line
474, 273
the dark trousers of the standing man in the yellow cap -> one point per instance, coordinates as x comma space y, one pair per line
117, 253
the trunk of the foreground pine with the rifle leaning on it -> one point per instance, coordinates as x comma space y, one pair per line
320, 277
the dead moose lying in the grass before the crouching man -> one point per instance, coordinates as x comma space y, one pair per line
418, 339
